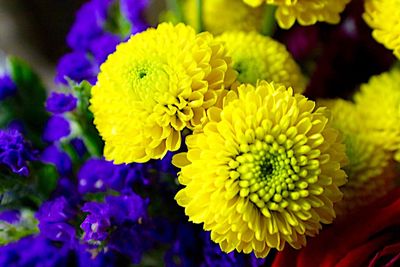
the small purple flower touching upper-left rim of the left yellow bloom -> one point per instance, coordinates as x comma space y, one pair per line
103, 46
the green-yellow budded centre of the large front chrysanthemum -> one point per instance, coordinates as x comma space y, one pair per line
271, 173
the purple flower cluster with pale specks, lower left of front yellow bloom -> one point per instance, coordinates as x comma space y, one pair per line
119, 222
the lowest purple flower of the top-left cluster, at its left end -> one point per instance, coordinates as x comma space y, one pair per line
77, 67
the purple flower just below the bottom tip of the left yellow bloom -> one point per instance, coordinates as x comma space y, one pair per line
97, 175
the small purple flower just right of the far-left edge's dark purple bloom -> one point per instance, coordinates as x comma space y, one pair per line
60, 159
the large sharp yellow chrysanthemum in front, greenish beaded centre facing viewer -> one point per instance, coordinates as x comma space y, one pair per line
264, 171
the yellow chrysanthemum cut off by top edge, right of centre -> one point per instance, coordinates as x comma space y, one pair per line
306, 12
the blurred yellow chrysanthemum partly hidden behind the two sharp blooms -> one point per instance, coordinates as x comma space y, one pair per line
257, 57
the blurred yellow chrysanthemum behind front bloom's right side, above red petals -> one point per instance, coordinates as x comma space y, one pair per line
370, 175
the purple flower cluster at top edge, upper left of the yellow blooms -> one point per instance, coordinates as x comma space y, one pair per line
92, 39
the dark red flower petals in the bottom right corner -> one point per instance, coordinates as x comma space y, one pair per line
368, 237
